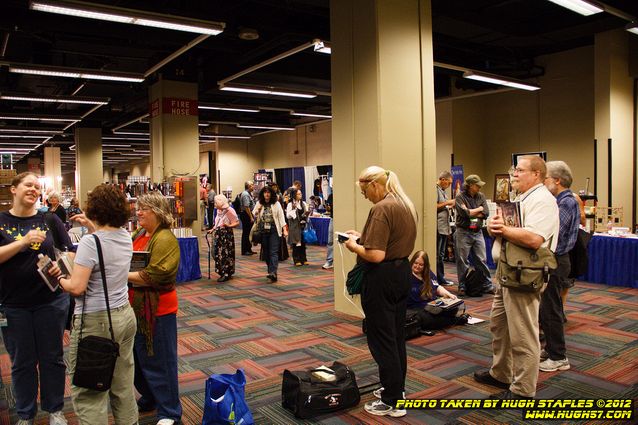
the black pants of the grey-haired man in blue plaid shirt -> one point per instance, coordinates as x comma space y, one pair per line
551, 309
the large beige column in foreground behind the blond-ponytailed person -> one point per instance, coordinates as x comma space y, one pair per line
383, 112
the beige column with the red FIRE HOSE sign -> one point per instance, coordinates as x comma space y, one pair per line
175, 137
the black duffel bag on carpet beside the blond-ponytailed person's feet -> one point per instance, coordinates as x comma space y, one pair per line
307, 396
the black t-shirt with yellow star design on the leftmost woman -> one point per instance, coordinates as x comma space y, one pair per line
20, 283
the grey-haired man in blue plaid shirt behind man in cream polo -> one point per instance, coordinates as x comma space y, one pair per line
558, 181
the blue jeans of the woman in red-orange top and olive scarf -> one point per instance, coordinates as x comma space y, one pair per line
156, 376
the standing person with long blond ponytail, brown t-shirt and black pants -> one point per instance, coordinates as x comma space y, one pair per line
384, 245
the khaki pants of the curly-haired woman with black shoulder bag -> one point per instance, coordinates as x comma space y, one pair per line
91, 406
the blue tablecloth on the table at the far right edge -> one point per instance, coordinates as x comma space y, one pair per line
613, 261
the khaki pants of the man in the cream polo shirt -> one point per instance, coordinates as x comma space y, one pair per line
515, 344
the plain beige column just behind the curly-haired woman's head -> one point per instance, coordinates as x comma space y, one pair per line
88, 160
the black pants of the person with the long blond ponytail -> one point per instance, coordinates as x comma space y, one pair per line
384, 298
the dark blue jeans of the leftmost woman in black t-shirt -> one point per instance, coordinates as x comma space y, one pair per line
33, 337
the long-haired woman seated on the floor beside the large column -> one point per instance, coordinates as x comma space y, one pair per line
423, 289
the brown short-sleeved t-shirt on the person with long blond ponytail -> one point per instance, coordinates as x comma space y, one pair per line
389, 228
